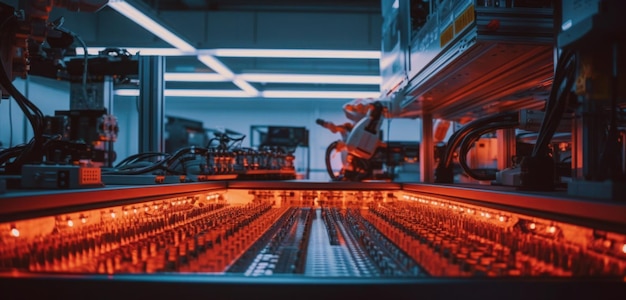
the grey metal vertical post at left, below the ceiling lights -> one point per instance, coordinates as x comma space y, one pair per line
151, 103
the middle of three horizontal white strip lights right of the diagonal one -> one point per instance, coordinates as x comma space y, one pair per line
311, 78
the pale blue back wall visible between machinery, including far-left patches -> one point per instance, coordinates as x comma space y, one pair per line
231, 113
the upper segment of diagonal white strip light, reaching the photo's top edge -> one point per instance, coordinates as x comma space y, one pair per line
150, 24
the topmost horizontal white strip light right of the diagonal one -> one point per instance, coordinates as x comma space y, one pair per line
297, 53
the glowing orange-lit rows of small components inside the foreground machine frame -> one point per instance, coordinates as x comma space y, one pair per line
310, 233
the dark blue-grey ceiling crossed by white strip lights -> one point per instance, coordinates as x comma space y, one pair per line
250, 24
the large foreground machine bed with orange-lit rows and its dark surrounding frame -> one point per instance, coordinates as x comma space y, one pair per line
398, 238
